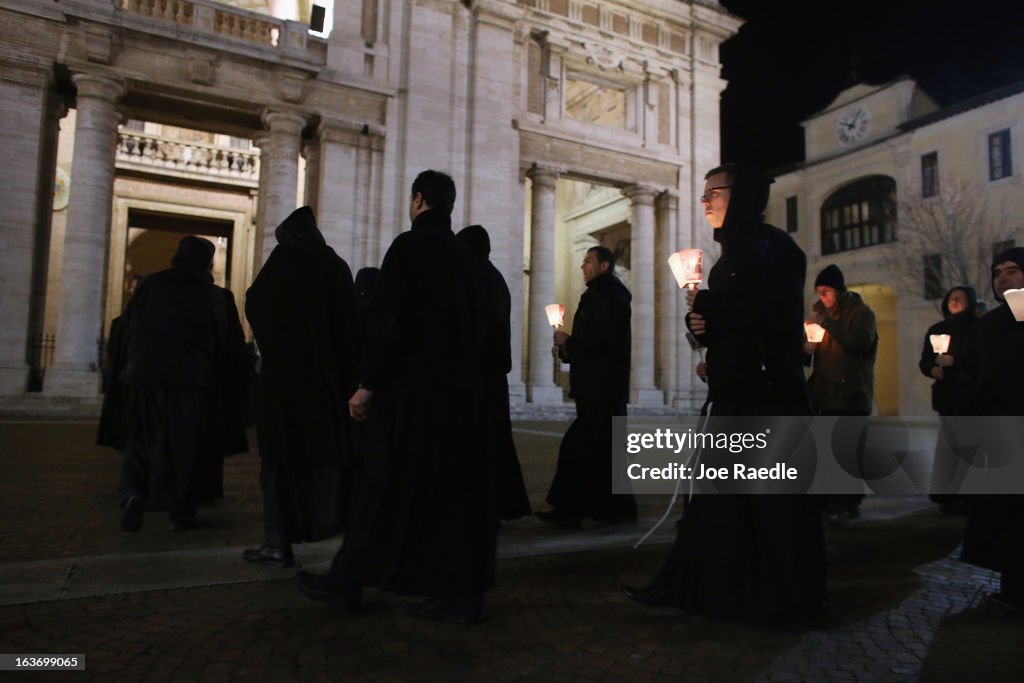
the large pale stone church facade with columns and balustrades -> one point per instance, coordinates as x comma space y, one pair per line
565, 123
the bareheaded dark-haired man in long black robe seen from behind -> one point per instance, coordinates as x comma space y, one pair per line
426, 514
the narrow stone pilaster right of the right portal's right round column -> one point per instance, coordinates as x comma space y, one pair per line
670, 334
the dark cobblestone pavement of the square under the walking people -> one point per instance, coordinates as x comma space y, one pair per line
162, 606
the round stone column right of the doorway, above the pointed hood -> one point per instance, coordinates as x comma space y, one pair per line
282, 175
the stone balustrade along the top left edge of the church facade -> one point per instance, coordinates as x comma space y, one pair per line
225, 21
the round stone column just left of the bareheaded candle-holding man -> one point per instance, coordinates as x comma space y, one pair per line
540, 383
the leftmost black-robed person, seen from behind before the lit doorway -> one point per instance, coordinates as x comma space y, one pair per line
186, 368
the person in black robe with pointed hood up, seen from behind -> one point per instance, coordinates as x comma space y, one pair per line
303, 313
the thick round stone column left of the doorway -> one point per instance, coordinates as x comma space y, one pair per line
83, 273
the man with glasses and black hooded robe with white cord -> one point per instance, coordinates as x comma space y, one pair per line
748, 558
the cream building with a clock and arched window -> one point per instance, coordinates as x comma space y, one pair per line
878, 159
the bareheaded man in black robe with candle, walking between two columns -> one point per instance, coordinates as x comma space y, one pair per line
599, 354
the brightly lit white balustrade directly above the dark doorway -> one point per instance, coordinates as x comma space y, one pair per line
195, 160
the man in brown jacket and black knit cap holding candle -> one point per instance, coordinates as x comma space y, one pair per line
842, 381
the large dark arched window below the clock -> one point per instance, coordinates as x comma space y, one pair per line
861, 215
